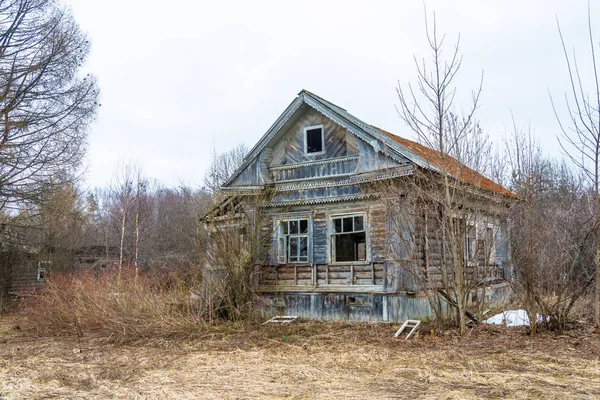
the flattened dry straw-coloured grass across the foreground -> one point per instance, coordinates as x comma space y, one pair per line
308, 360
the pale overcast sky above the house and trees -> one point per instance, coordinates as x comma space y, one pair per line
178, 78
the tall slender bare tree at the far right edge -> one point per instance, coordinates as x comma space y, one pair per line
580, 138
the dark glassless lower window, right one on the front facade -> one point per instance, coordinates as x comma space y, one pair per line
349, 239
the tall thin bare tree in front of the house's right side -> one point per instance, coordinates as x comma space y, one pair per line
450, 213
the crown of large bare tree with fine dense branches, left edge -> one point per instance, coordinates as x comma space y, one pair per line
45, 105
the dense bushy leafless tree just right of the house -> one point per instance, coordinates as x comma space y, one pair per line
552, 245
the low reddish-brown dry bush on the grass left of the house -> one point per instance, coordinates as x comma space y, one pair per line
126, 310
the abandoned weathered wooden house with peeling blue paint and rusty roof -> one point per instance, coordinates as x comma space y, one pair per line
334, 251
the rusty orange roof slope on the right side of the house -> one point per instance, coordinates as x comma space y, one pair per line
450, 165
